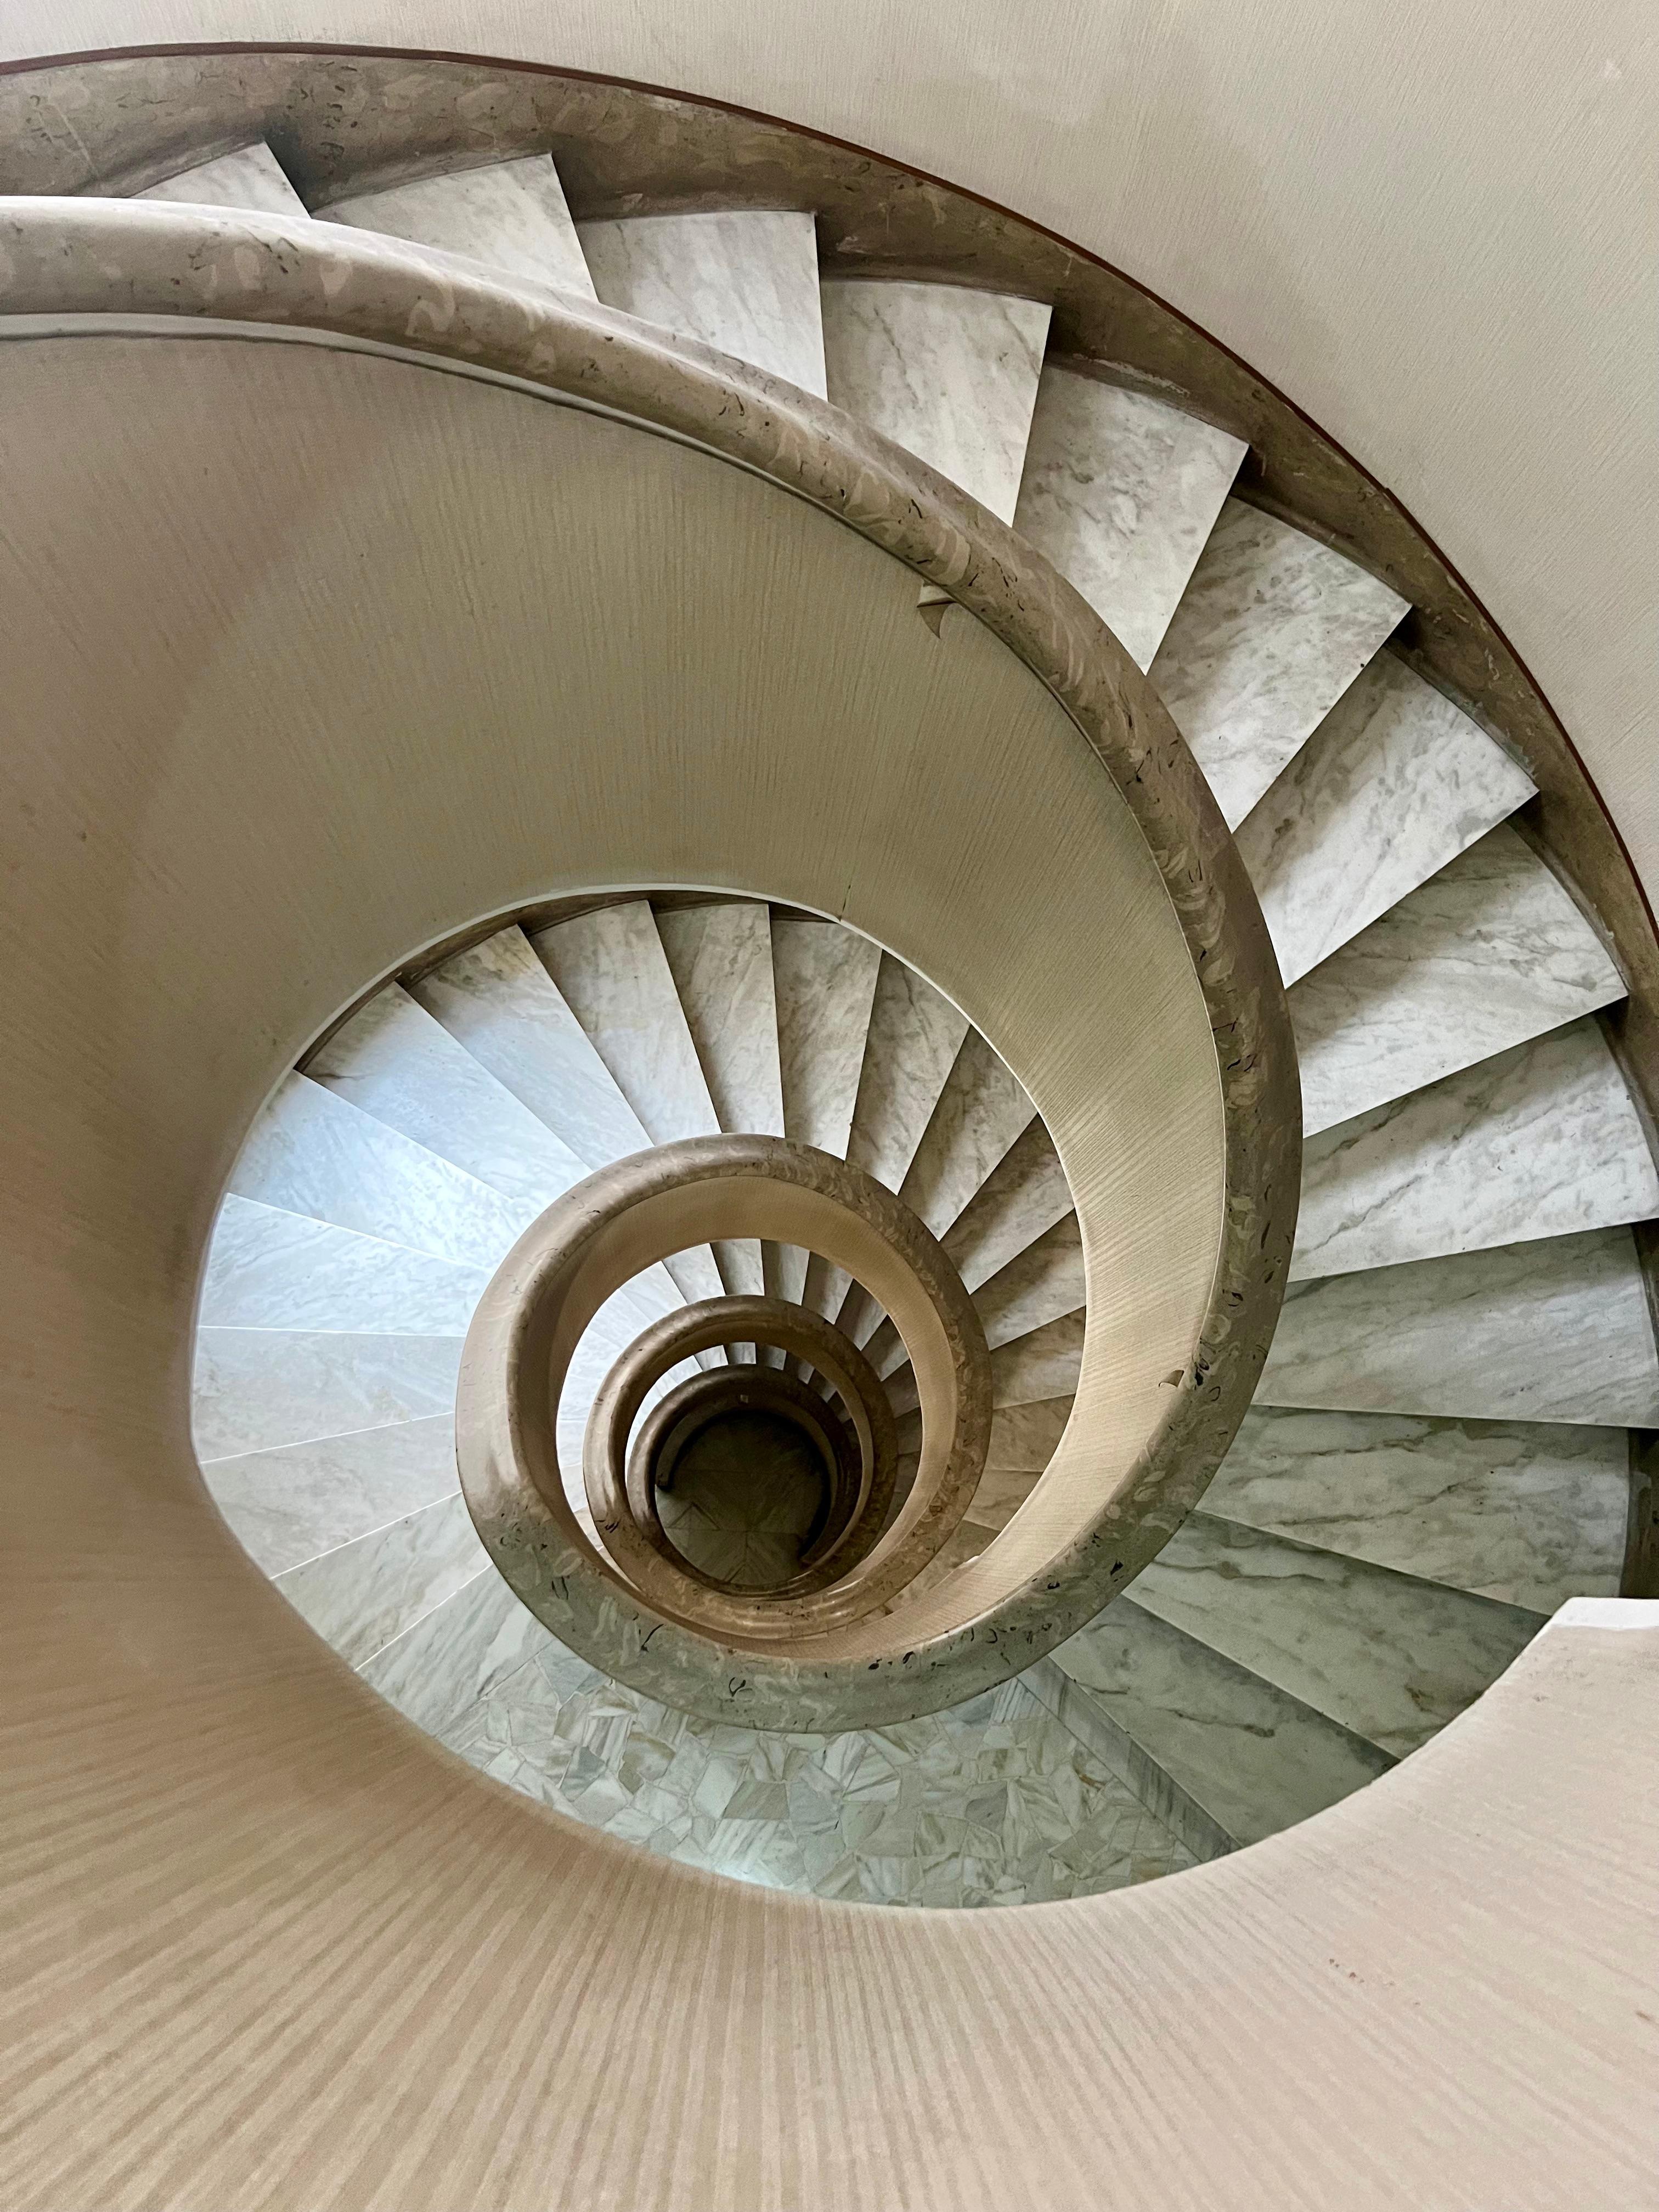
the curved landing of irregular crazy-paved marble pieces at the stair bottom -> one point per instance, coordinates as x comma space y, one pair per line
990, 1804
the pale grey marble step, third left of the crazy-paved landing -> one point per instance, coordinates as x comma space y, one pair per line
300, 1501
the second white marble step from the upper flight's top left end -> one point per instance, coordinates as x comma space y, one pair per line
510, 216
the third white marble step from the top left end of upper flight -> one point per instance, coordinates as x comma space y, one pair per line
744, 280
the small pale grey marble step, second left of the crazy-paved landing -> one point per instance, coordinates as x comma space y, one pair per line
368, 1592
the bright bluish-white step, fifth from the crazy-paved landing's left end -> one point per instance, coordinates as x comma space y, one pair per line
278, 1271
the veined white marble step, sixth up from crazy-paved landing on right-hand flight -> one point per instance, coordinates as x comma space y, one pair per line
1483, 957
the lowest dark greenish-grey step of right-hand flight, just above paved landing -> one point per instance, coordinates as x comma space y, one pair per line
1244, 1751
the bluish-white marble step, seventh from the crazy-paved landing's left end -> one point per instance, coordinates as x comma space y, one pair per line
401, 1065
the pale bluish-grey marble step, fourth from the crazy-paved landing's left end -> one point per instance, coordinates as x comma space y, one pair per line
260, 1388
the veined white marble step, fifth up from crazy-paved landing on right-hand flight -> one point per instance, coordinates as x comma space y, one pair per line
1536, 1142
